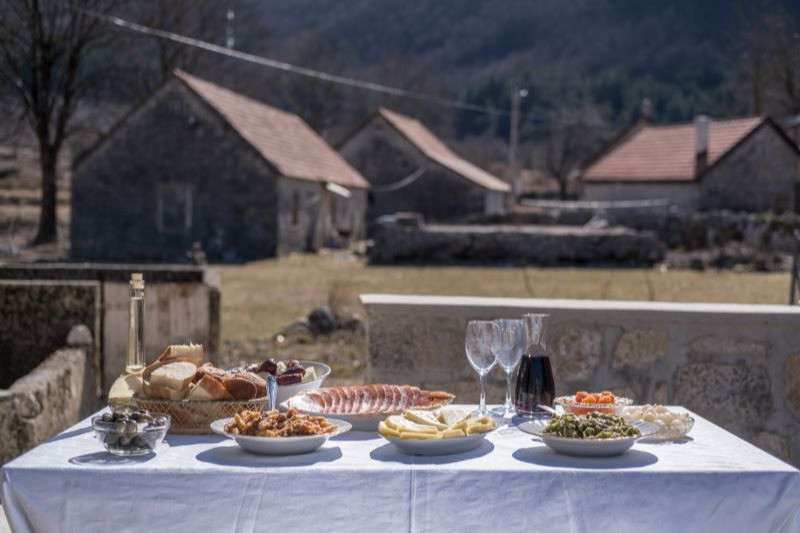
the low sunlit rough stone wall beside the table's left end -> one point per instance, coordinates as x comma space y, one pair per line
52, 397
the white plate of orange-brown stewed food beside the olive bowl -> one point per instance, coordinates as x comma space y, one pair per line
277, 433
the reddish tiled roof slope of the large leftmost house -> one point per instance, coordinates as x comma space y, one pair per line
282, 138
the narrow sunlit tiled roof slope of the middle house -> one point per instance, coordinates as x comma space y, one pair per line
433, 148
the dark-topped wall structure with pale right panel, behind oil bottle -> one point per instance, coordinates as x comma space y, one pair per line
182, 304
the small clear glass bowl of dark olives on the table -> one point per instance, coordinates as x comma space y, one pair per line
131, 438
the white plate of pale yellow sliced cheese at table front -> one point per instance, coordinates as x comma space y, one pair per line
440, 432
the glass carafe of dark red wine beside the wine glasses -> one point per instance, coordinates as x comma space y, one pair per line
535, 384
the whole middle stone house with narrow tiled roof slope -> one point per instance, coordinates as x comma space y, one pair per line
410, 169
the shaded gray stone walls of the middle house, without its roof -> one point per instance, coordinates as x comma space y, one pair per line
385, 157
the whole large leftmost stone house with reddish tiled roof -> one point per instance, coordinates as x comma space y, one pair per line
197, 163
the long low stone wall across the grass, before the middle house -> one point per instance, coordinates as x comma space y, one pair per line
539, 245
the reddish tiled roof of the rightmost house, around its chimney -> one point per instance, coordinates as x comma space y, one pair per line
667, 153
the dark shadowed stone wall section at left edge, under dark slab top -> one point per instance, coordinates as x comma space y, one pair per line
35, 318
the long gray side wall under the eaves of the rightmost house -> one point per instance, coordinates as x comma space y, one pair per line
683, 195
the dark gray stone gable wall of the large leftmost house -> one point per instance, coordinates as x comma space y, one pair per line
172, 156
